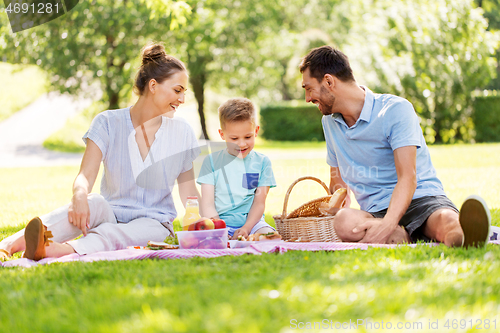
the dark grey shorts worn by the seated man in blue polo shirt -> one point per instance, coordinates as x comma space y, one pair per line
418, 212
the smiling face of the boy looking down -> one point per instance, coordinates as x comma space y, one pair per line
239, 137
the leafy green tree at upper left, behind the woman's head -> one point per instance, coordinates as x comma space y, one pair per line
98, 42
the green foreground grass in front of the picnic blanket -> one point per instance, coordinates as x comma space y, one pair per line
253, 293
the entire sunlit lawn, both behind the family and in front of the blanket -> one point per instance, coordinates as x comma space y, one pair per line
267, 293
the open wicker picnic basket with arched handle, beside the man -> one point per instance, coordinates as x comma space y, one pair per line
305, 222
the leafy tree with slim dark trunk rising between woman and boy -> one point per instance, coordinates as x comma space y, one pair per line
246, 46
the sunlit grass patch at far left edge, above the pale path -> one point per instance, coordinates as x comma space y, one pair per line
22, 84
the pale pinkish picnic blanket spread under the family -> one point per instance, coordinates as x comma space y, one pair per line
256, 249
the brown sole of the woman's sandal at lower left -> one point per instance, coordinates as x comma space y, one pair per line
37, 237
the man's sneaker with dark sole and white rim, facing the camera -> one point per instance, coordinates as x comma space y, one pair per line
475, 220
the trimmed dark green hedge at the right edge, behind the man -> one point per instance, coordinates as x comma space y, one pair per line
486, 117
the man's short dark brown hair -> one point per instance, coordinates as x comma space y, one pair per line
327, 60
